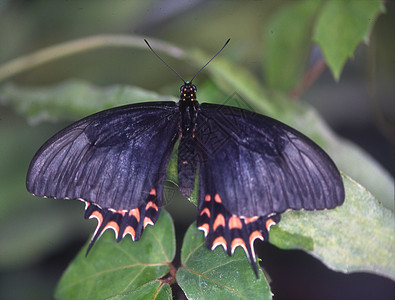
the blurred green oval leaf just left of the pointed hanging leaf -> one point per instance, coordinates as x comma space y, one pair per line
286, 43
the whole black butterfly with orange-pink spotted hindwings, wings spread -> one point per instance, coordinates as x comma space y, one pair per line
251, 168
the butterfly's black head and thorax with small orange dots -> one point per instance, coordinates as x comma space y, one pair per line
188, 108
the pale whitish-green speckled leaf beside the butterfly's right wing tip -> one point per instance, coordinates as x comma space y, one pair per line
357, 236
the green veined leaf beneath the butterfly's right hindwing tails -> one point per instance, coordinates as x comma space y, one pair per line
206, 274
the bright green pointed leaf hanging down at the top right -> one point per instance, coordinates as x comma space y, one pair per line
341, 26
